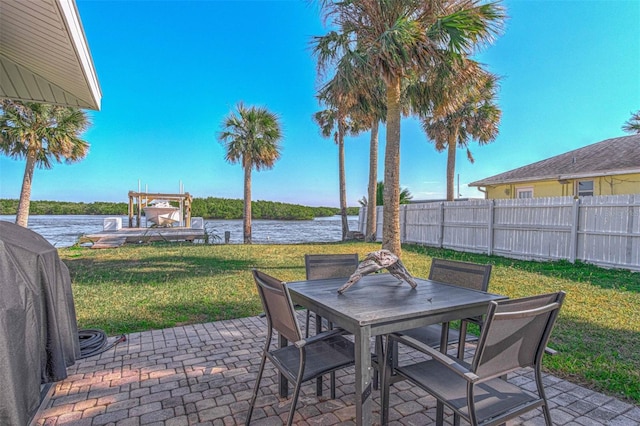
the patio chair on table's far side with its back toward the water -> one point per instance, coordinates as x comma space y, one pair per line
321, 266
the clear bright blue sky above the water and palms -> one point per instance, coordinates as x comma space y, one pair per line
171, 70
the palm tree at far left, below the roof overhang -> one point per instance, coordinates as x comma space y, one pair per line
42, 134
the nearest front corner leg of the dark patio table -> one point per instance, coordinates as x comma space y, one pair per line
363, 377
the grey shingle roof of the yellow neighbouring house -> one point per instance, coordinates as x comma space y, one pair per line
611, 156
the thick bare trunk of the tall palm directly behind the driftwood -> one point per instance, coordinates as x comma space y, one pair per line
391, 208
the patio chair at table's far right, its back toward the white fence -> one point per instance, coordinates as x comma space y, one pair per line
461, 274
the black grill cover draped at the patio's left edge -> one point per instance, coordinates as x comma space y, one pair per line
38, 328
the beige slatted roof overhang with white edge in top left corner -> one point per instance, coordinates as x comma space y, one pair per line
44, 55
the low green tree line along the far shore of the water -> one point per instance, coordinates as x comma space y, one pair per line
208, 208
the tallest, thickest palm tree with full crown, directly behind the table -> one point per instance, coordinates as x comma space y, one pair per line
398, 38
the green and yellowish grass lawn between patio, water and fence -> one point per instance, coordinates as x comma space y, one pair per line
137, 288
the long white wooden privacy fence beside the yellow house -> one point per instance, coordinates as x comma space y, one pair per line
603, 230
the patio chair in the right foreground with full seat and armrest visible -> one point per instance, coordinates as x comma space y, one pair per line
514, 336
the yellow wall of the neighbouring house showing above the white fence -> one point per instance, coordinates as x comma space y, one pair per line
602, 185
